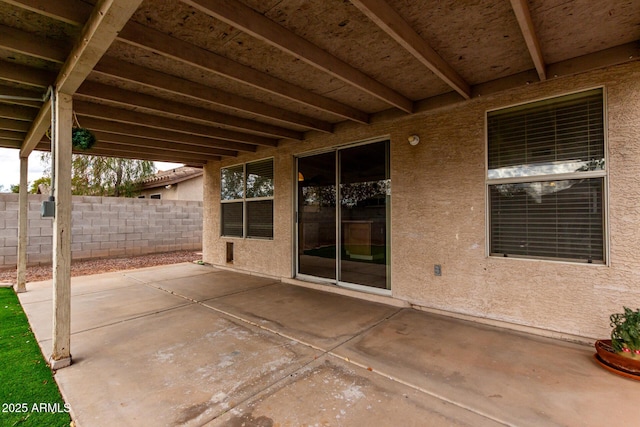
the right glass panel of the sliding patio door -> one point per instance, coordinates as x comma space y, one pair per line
363, 195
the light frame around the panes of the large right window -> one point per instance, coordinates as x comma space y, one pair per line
599, 174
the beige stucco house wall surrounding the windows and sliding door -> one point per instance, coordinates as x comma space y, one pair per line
438, 215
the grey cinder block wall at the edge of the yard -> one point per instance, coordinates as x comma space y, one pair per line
103, 227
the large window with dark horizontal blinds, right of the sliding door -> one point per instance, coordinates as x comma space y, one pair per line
546, 177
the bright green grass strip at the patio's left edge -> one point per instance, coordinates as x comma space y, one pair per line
29, 396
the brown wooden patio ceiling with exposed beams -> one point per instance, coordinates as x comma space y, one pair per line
193, 81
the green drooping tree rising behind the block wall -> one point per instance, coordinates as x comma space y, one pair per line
104, 176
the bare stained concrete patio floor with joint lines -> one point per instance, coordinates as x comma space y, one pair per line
193, 345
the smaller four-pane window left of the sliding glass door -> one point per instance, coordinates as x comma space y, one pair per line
246, 194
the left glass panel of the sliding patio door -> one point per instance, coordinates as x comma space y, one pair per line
317, 215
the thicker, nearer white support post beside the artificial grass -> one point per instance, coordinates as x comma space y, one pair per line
62, 124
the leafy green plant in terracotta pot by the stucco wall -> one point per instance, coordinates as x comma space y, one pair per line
621, 354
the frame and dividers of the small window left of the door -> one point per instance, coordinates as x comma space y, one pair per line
246, 200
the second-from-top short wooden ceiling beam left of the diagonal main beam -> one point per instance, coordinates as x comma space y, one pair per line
18, 41
